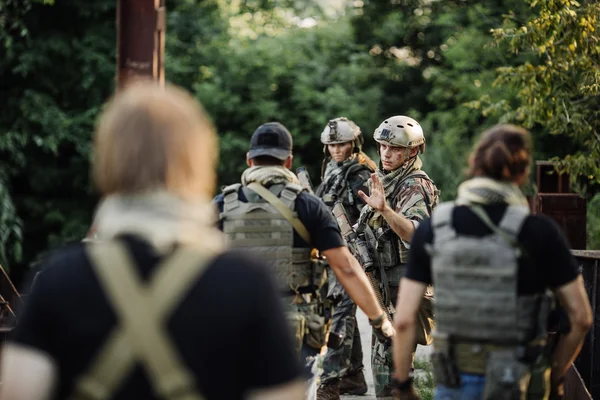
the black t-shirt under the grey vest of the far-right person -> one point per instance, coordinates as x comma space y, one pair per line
546, 261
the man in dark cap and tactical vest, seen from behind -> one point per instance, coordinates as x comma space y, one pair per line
271, 214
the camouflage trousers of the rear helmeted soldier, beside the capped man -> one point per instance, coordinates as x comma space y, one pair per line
348, 357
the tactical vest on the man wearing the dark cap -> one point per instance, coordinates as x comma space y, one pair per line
257, 226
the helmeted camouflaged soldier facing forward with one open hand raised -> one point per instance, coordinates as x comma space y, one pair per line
401, 195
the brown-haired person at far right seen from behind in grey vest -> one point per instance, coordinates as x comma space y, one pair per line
492, 265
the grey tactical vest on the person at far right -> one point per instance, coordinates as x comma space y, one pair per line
476, 281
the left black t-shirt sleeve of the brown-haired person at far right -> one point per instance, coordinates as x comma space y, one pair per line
418, 267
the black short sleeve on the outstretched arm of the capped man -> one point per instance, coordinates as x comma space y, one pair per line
320, 222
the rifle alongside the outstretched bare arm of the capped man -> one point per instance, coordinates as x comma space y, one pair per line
359, 247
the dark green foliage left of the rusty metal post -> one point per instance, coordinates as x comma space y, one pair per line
54, 83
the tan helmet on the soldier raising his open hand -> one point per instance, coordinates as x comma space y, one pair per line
400, 131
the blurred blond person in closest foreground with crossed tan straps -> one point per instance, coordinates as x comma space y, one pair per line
148, 310
